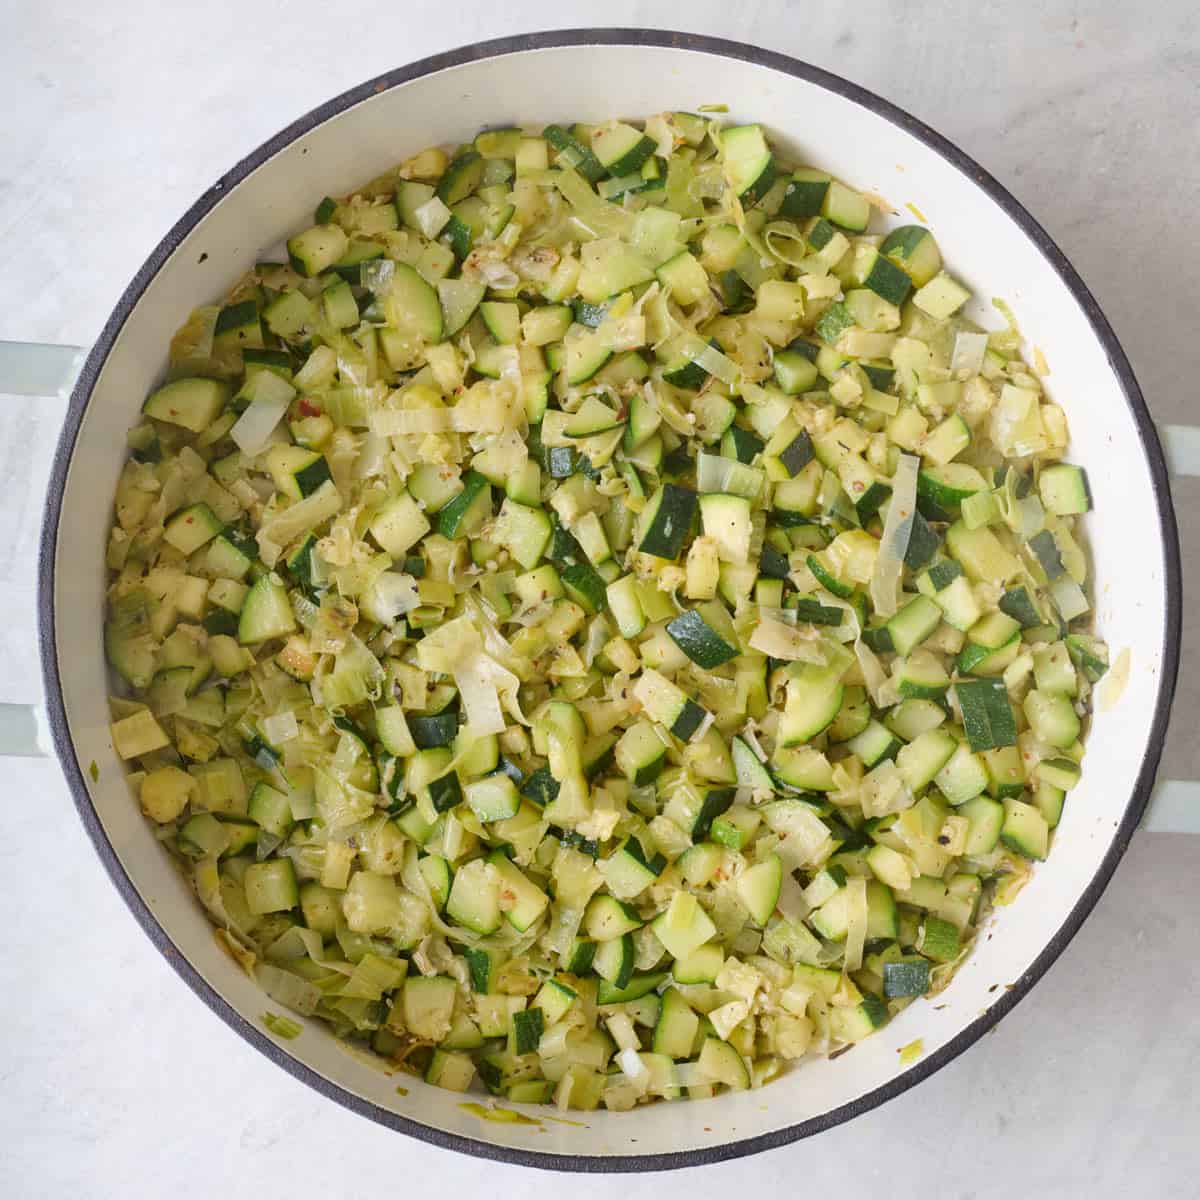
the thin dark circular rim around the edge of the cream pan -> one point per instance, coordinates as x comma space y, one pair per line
1103, 332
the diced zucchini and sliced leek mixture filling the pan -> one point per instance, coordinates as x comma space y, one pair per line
598, 621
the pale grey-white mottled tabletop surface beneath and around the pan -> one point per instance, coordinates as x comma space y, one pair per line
115, 1081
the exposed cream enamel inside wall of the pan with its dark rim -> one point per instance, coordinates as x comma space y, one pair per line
989, 241
